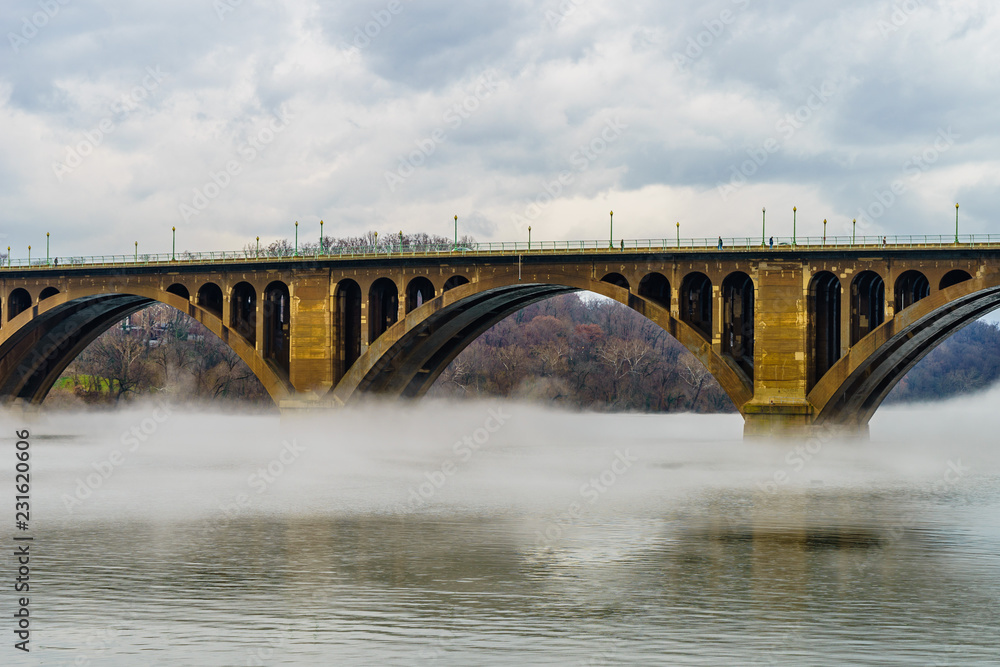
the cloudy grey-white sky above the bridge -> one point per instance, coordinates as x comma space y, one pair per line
231, 119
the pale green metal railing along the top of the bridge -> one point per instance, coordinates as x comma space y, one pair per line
666, 244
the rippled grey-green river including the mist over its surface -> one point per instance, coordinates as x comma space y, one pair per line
500, 533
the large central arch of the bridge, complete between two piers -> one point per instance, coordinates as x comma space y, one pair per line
407, 359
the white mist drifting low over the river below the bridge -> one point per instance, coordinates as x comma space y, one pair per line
155, 462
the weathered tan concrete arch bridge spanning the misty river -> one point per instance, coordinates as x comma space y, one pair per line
801, 339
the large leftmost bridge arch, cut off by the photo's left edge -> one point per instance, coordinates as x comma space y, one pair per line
37, 348
